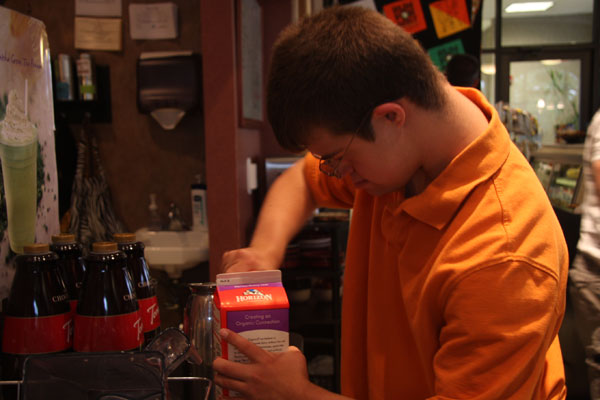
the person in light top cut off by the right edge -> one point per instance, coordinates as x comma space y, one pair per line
584, 286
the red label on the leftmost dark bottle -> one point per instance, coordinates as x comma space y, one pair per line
38, 335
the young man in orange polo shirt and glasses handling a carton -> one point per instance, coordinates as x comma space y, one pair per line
456, 265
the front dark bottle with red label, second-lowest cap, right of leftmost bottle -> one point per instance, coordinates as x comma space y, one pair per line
107, 317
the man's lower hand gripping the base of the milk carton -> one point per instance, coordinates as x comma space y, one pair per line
268, 375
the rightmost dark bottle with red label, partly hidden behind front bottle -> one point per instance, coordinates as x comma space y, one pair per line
144, 288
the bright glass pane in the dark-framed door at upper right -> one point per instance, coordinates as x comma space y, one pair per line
549, 90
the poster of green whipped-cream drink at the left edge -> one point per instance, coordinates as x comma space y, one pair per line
28, 184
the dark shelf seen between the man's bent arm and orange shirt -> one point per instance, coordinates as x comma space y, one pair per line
312, 274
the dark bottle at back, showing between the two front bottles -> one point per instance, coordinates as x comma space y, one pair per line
70, 264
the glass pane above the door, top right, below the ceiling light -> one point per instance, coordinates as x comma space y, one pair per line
565, 22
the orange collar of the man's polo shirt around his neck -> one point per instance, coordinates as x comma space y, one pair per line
438, 203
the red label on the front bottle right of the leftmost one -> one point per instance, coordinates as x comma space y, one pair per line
108, 333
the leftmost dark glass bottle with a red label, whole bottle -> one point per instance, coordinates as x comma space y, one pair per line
37, 317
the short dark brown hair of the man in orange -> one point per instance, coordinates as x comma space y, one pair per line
332, 69
